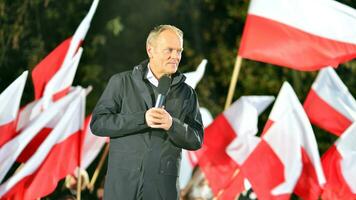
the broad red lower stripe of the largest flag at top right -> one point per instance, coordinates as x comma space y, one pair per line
269, 41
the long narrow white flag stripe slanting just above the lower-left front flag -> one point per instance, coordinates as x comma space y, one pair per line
13, 148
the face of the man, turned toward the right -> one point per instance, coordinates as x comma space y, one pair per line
165, 53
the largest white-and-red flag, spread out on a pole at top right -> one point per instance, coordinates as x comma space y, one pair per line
297, 33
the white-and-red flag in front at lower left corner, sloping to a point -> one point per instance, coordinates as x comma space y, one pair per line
57, 156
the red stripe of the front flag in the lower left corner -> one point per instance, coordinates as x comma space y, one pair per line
61, 161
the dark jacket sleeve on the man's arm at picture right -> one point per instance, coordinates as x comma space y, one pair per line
188, 134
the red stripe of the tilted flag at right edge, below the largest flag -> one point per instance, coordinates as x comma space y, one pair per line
324, 116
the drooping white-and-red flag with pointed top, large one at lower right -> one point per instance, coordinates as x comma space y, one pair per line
287, 158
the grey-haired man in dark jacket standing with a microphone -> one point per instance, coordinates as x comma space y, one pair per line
146, 142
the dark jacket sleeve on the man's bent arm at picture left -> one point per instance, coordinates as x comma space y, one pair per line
107, 119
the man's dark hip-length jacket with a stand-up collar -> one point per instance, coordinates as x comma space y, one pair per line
142, 158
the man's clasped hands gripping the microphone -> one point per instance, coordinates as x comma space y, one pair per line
158, 118
